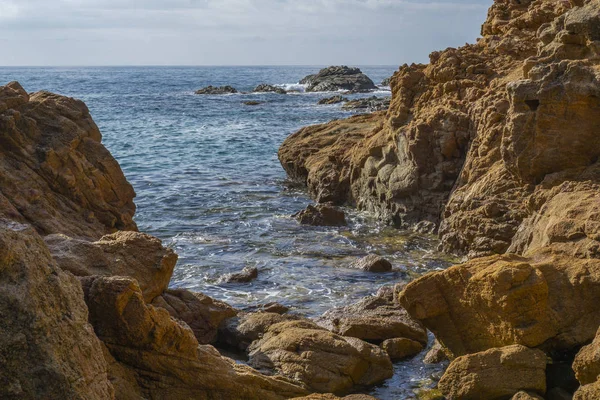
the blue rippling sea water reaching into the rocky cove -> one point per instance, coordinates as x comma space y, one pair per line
209, 184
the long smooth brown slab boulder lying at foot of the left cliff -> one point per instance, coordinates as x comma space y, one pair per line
120, 254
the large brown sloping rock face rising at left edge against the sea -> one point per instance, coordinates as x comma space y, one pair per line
74, 185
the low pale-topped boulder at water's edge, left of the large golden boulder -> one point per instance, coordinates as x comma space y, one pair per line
373, 319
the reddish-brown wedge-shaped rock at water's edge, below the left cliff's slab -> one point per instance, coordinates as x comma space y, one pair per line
202, 313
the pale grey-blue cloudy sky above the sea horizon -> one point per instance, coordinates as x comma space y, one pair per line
233, 32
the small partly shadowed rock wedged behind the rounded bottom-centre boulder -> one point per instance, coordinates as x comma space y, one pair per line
238, 333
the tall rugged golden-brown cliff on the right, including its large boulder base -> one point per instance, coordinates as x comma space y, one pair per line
494, 146
